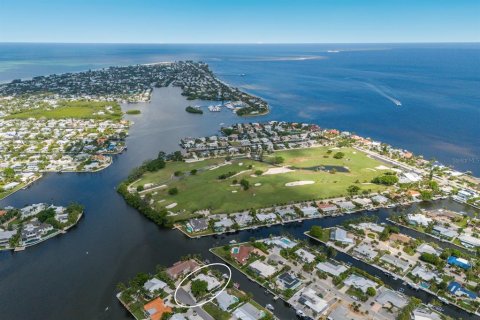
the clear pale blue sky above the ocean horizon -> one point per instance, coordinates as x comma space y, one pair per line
239, 21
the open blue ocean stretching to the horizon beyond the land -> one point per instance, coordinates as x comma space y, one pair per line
421, 97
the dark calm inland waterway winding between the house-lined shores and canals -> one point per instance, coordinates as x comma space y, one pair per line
74, 276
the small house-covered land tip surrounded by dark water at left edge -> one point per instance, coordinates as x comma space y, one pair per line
35, 223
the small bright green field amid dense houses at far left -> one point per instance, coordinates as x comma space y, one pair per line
73, 109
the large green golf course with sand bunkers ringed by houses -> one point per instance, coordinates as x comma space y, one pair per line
206, 191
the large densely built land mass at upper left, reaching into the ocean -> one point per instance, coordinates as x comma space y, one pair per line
73, 122
